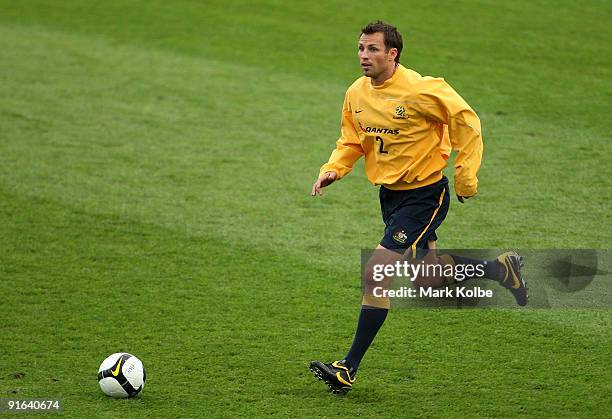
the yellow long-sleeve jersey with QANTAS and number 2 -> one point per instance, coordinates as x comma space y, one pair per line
406, 128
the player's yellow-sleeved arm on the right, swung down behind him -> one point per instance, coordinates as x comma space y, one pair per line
437, 100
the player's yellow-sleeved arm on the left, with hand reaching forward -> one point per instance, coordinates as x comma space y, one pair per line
348, 150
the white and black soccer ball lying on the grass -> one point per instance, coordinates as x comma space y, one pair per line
121, 375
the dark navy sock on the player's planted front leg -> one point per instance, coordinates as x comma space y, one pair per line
370, 321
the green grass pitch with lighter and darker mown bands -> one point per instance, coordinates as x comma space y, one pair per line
156, 160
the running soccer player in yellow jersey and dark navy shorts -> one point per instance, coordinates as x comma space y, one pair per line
405, 126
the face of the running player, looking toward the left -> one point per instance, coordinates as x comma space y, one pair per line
375, 61
